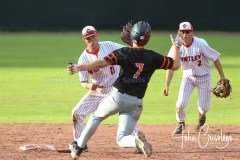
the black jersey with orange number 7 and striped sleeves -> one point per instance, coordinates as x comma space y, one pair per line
137, 67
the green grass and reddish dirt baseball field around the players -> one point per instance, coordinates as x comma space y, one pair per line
37, 96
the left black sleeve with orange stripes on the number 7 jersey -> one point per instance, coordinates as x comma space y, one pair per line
116, 58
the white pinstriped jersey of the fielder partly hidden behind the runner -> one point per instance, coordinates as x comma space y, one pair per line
106, 76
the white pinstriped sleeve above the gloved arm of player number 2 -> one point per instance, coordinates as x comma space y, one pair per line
208, 52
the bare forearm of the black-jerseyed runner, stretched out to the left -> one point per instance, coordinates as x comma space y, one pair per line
94, 65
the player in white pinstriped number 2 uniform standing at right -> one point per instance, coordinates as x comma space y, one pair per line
195, 54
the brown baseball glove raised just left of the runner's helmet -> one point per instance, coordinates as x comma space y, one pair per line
126, 34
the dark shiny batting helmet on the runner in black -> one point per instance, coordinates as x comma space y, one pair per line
141, 33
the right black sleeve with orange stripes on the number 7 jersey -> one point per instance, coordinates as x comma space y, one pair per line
163, 62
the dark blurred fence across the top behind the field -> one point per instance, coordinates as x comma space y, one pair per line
70, 15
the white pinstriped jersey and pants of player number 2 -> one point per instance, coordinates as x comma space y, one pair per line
196, 72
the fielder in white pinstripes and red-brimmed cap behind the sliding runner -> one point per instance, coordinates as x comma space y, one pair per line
102, 79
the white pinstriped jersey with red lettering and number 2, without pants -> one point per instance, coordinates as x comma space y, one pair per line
195, 58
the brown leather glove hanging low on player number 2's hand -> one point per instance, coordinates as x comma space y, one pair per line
223, 88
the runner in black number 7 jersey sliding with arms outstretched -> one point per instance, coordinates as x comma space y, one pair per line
138, 65
